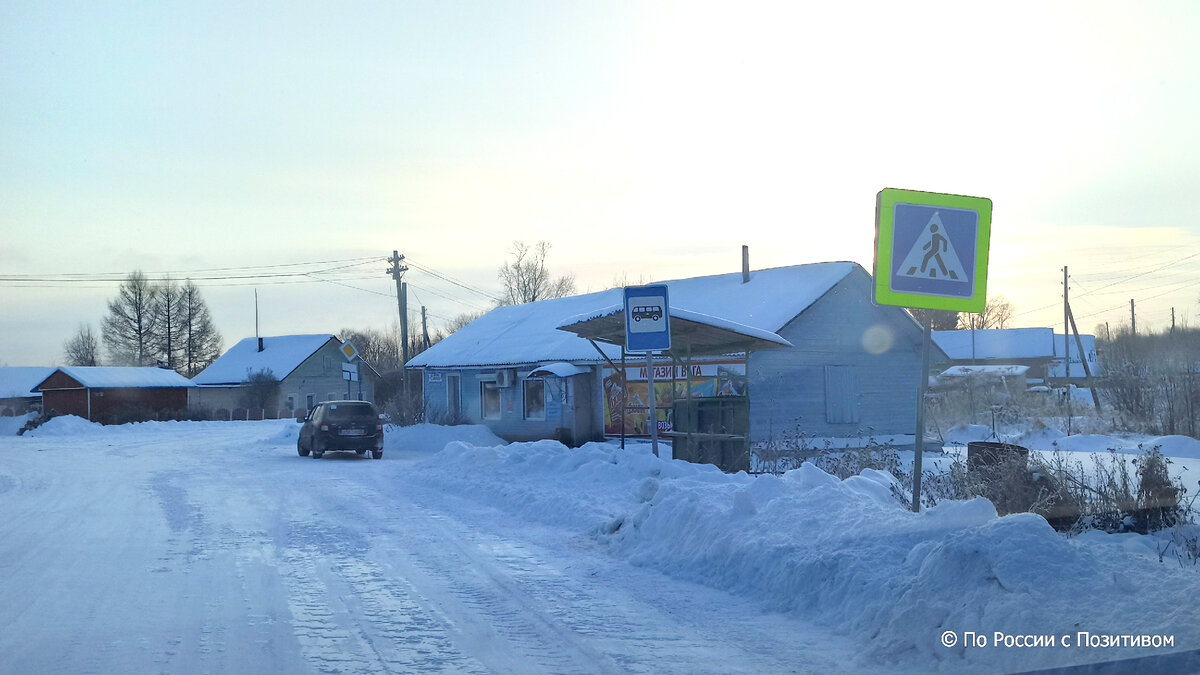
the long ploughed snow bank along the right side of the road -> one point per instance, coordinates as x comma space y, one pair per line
844, 553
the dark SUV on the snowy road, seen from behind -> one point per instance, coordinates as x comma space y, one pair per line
341, 426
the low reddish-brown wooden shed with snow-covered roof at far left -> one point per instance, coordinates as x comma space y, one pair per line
113, 396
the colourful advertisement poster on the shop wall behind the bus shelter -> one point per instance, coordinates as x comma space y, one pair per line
709, 380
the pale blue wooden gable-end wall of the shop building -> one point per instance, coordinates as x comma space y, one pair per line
790, 390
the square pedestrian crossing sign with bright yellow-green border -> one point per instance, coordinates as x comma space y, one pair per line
932, 250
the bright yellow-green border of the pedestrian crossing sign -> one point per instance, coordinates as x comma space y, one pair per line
885, 222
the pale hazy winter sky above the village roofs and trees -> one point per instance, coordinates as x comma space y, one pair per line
290, 148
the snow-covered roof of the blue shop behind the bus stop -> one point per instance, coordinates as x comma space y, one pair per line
530, 334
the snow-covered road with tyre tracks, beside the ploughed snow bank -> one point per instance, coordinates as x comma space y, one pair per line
214, 548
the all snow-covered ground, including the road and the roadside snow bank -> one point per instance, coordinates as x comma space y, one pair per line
213, 547
